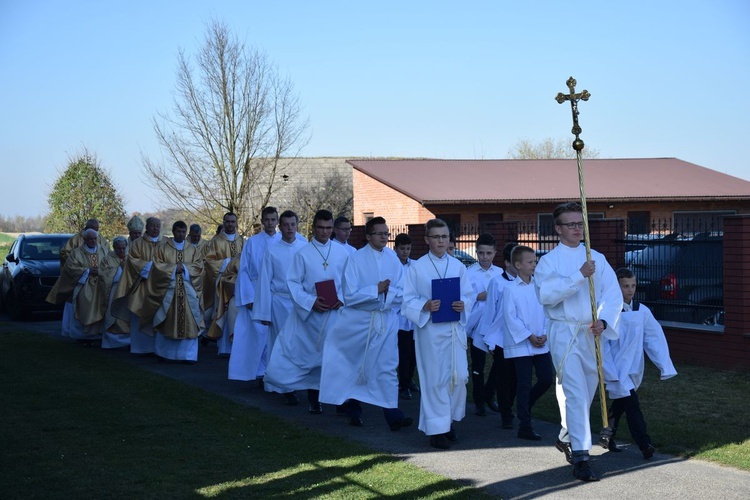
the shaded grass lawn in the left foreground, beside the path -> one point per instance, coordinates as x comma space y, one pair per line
79, 425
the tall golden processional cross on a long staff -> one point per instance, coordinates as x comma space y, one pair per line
578, 145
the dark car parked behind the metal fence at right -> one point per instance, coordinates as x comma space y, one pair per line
682, 279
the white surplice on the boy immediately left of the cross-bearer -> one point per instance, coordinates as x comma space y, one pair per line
523, 316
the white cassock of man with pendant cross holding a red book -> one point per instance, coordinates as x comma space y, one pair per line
297, 356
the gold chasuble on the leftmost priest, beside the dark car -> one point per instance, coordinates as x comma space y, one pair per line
89, 299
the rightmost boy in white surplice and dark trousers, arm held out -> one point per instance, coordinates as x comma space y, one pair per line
624, 360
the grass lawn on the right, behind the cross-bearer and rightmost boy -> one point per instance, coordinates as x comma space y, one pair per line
700, 413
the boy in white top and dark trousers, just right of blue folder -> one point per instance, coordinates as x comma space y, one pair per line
480, 274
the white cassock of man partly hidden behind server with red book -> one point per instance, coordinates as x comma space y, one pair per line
273, 303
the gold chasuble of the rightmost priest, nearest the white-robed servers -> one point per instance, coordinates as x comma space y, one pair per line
214, 253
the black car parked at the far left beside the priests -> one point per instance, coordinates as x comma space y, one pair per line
30, 270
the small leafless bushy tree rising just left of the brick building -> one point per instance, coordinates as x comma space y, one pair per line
331, 192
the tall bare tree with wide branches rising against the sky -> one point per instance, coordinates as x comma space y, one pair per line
234, 126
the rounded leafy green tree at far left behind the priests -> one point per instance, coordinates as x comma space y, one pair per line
85, 191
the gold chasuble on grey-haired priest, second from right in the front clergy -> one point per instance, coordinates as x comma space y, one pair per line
131, 294
